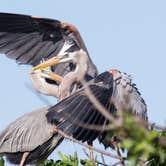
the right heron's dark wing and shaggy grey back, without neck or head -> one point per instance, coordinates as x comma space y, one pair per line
108, 91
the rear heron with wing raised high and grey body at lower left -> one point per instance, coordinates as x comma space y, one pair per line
32, 40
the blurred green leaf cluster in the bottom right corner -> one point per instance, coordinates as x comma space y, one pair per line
143, 146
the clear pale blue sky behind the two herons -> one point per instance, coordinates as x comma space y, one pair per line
127, 35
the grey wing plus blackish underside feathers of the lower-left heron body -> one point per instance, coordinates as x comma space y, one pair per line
29, 133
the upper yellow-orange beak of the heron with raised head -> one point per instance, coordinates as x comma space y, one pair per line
50, 62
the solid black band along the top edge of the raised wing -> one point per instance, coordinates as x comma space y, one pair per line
24, 23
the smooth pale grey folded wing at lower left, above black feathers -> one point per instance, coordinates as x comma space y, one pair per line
26, 133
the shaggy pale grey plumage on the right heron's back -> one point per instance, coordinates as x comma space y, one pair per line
126, 96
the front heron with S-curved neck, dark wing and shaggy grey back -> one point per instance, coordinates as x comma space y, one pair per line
118, 93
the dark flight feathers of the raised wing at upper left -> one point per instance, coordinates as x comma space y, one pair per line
28, 39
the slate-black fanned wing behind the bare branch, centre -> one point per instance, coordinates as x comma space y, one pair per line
75, 113
